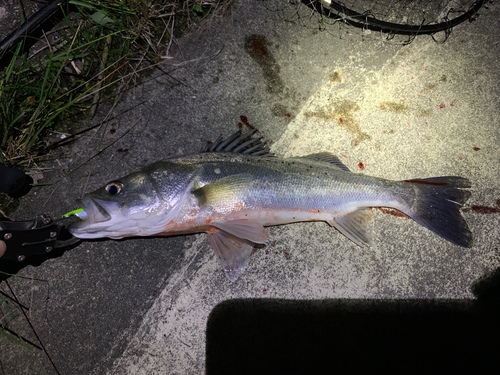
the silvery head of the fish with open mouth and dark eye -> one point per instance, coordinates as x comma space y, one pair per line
139, 204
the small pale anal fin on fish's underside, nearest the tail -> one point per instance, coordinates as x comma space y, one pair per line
353, 226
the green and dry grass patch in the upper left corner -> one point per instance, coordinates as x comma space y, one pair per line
83, 62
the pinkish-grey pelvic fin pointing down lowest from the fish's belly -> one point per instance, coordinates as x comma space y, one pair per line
233, 252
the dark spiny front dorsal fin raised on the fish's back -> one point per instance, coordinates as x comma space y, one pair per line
240, 143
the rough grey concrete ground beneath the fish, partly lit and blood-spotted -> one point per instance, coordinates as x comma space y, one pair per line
426, 109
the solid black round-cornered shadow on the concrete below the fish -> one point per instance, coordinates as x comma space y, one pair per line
262, 336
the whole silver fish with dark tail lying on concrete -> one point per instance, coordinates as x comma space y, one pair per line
236, 187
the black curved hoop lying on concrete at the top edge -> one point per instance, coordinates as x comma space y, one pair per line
339, 11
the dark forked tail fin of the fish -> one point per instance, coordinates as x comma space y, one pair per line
437, 207
